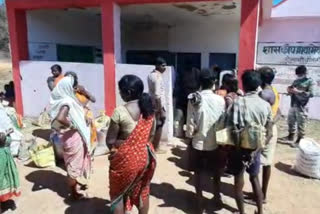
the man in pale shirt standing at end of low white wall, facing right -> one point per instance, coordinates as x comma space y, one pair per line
157, 91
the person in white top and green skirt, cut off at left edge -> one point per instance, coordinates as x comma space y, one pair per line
9, 178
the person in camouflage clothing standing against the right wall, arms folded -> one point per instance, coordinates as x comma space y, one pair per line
300, 91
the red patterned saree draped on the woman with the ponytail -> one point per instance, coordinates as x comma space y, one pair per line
132, 168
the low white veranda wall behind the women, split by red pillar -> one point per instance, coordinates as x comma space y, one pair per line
34, 85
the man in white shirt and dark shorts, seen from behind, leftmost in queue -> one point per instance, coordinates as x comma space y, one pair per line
205, 108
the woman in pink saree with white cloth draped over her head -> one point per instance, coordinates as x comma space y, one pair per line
68, 119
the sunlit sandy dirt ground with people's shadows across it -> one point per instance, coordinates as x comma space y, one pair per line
172, 190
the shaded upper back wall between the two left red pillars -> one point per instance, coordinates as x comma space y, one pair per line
71, 27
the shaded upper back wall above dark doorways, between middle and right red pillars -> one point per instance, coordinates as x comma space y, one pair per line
210, 37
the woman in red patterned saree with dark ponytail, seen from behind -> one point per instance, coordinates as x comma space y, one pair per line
132, 159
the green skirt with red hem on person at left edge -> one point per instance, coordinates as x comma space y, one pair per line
9, 178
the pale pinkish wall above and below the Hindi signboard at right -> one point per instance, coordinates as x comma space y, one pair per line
291, 30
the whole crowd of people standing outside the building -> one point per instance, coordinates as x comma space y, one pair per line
246, 118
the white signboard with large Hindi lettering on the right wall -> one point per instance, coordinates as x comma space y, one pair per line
274, 53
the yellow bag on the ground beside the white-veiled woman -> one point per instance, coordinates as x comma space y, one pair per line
43, 155
